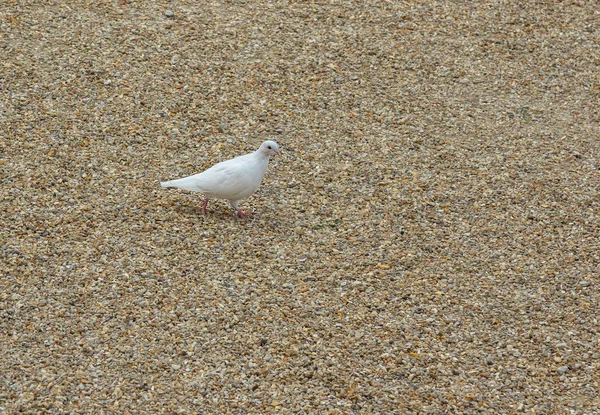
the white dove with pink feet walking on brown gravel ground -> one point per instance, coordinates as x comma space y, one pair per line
232, 180
